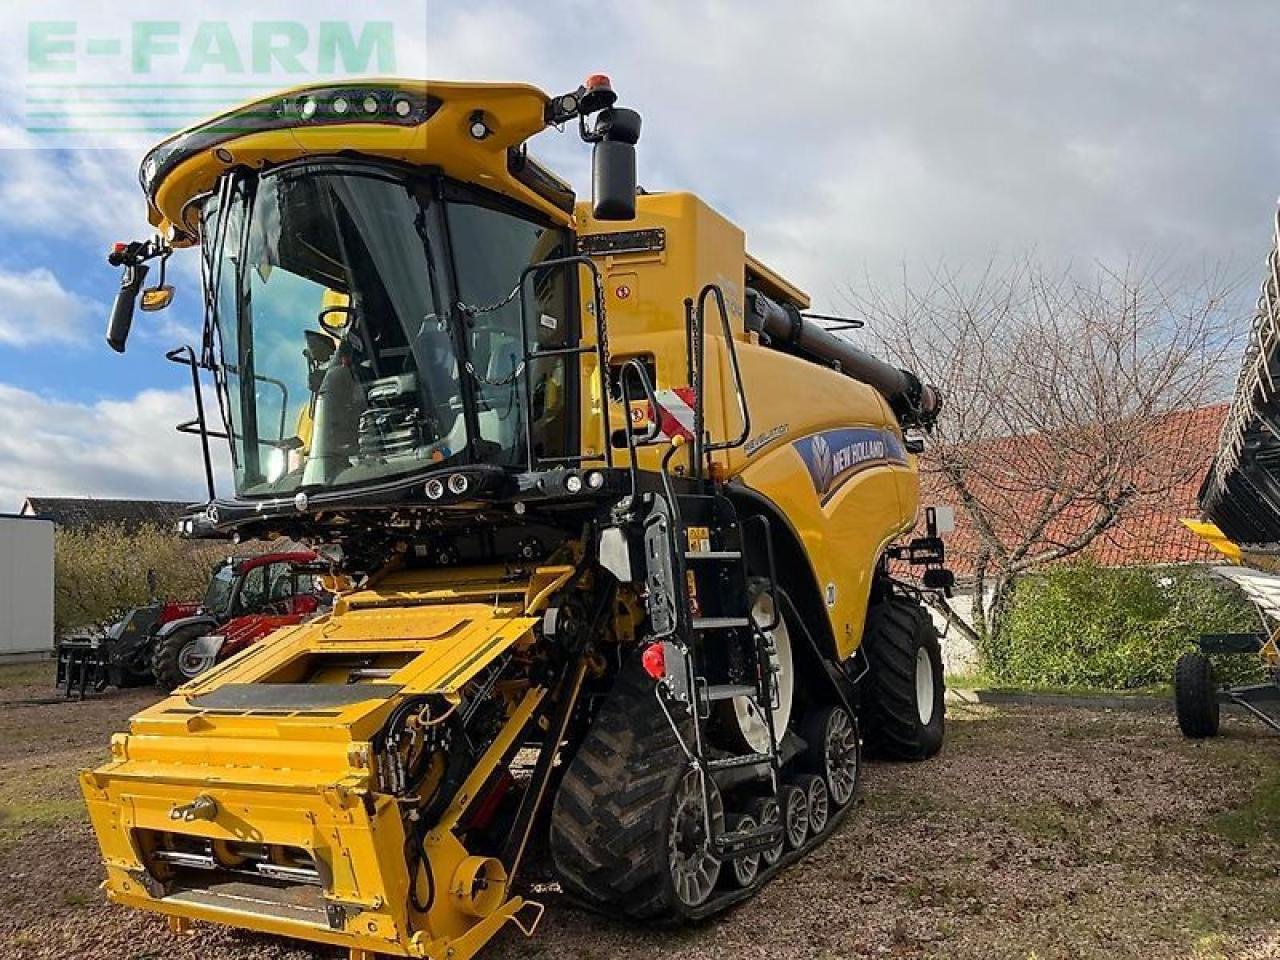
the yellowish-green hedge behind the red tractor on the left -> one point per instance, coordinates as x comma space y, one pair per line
103, 572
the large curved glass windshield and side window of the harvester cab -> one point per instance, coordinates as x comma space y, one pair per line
365, 328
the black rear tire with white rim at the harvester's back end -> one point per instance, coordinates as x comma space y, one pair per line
904, 707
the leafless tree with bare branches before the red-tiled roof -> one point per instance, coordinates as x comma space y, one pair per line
1055, 386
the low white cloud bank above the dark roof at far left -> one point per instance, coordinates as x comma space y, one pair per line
112, 449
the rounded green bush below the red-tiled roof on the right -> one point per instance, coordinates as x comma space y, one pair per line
1119, 629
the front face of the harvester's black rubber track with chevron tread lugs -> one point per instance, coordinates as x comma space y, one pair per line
621, 829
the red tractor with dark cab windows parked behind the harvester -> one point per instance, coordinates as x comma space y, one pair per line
248, 598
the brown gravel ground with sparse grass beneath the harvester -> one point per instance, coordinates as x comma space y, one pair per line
1040, 834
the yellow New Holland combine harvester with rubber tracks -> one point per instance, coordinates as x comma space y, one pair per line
610, 518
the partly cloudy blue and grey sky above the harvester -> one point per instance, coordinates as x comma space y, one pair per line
849, 140
